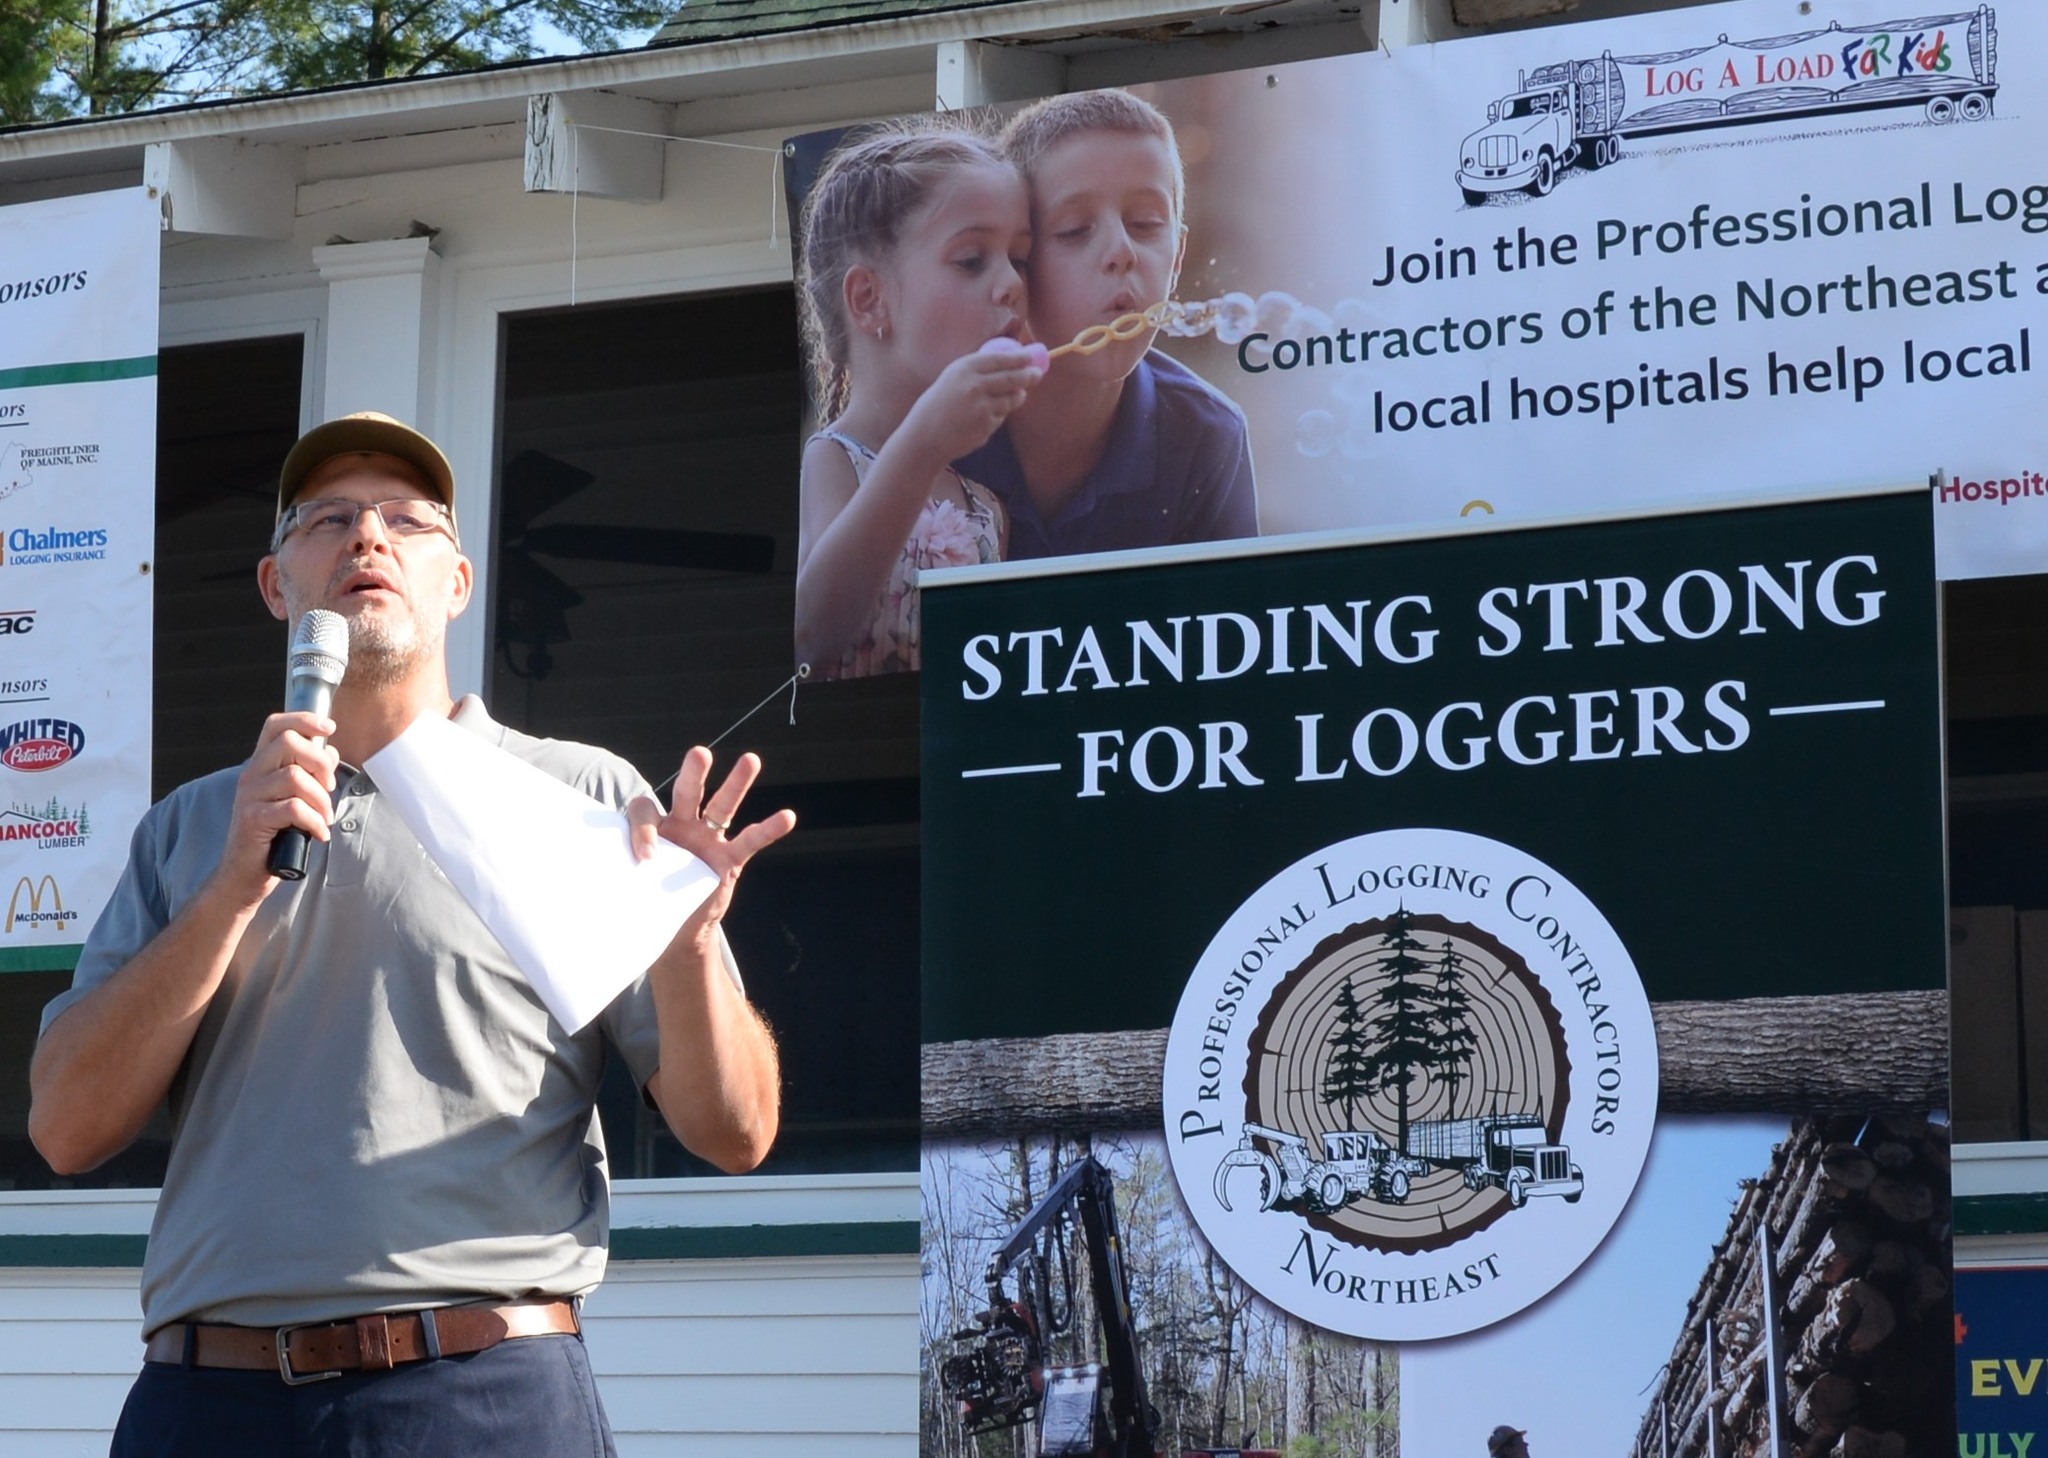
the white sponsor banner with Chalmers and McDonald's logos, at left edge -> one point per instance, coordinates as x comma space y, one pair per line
79, 282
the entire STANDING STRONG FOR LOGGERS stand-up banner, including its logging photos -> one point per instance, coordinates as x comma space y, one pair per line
1377, 855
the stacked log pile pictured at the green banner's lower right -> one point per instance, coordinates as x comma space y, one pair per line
1822, 1326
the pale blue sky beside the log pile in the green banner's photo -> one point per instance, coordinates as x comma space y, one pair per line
1578, 1369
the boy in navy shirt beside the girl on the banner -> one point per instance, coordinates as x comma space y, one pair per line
1123, 447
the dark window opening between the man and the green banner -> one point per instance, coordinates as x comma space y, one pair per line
642, 591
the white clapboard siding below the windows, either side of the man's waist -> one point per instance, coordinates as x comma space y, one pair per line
746, 1359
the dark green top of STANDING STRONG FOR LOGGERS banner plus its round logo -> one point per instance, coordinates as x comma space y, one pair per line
1402, 839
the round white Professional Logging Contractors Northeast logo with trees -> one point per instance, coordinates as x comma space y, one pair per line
1410, 1086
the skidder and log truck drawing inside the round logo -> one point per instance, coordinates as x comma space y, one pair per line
1506, 1152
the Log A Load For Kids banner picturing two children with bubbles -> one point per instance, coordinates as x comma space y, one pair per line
1527, 275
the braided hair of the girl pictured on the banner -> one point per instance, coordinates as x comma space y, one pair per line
855, 212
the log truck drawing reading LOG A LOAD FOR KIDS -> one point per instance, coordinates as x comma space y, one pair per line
1580, 112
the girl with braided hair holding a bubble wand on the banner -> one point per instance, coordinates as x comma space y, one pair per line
912, 294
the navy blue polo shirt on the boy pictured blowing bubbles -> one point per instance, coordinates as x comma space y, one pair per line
1177, 470
